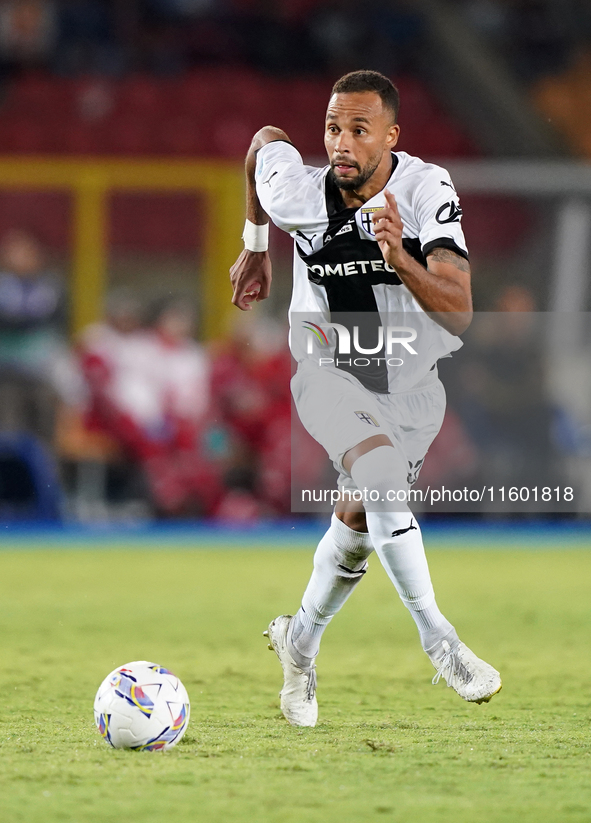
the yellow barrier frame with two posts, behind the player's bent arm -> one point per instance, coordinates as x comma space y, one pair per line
91, 181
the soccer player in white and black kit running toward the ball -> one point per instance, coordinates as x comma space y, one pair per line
377, 233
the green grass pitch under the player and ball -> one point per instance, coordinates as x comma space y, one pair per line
389, 746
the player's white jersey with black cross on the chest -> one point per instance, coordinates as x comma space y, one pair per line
338, 265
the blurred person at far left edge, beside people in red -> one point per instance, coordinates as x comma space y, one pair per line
36, 365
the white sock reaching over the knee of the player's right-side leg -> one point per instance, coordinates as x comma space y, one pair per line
397, 539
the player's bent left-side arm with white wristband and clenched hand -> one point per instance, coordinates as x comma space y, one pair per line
251, 273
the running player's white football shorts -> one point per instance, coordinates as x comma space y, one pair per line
339, 413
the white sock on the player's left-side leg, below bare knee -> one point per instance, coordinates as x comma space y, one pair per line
340, 562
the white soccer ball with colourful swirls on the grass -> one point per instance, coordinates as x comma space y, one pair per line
142, 706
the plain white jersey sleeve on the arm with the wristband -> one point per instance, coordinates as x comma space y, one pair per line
288, 191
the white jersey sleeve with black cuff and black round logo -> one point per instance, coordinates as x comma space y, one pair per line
439, 214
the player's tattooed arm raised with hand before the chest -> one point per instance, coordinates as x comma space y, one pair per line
443, 288
